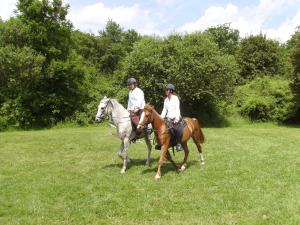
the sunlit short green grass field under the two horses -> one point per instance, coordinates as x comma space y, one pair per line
71, 176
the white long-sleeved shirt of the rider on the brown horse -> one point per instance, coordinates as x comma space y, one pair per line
171, 108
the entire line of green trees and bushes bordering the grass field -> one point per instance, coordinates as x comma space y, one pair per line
51, 72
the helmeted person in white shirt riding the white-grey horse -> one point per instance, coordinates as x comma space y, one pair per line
136, 102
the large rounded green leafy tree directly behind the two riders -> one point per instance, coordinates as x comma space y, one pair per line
203, 76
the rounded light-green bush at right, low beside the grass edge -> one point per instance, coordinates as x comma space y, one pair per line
265, 99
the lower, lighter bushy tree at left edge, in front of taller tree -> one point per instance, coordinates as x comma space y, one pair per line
20, 73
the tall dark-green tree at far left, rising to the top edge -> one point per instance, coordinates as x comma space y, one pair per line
41, 29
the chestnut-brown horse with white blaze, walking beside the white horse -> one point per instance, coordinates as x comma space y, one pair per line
192, 129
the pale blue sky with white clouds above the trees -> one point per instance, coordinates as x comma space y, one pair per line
277, 19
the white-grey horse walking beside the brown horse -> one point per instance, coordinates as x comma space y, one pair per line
121, 119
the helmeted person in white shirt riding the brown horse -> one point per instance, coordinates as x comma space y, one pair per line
171, 110
